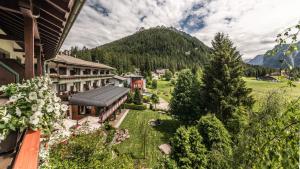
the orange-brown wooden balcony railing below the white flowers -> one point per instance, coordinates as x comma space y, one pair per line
28, 155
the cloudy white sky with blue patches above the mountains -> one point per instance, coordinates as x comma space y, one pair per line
251, 24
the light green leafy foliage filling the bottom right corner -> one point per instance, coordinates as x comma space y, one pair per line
271, 139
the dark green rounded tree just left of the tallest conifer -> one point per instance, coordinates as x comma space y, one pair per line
183, 97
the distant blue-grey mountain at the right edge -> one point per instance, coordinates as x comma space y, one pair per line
279, 59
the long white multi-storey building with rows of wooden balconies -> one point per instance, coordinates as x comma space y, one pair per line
71, 75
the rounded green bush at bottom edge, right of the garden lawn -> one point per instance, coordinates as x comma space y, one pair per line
188, 150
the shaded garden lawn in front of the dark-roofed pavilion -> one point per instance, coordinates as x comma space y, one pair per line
140, 132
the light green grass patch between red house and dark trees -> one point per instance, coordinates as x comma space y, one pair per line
164, 90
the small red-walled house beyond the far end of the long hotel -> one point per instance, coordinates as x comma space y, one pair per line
136, 82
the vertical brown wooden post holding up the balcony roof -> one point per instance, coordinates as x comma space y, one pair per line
29, 47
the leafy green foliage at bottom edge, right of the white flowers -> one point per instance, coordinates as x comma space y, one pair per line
87, 151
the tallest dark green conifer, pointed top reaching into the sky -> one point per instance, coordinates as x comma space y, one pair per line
223, 91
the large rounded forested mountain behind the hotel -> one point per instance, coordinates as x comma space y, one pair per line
149, 49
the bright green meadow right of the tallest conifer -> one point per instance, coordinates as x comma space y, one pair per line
261, 88
